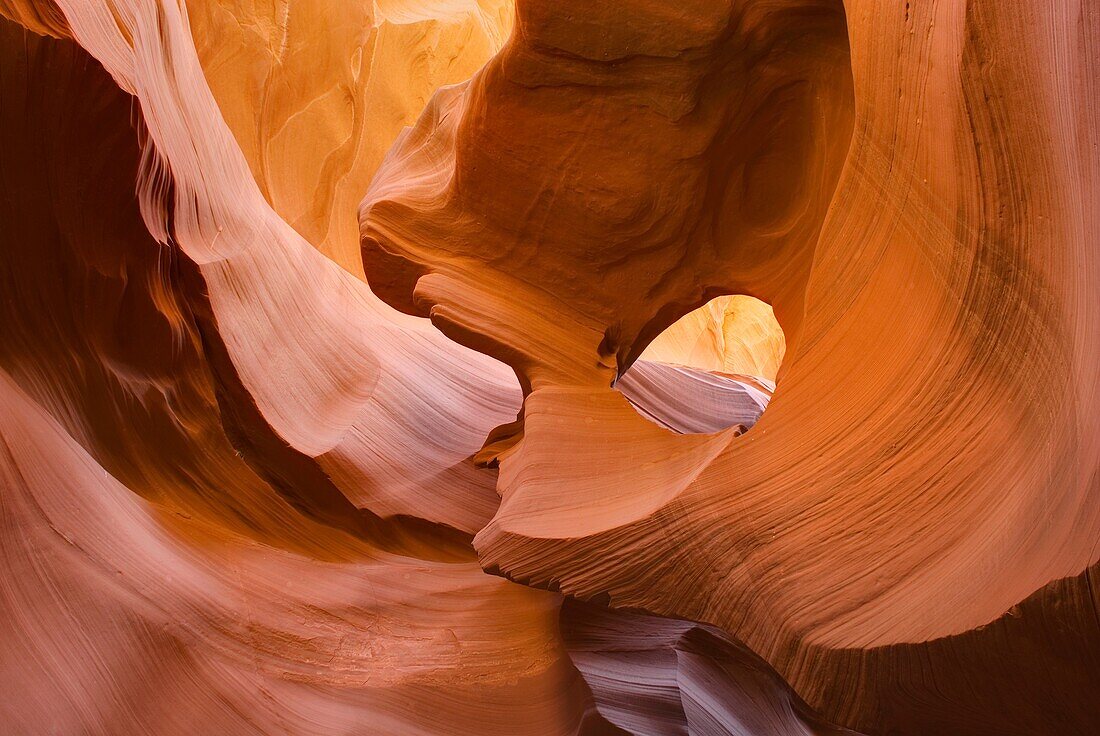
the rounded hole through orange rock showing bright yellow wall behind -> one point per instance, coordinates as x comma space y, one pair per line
713, 369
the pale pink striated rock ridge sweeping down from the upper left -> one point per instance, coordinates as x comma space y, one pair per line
322, 387
